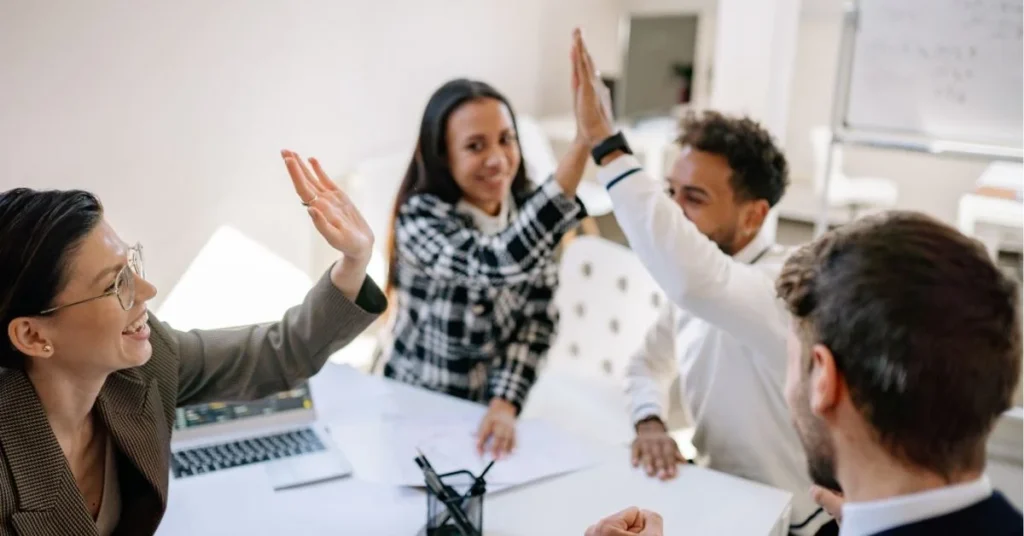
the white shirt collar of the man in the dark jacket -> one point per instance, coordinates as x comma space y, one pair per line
864, 519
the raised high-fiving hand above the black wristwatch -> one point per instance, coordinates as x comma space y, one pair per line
592, 101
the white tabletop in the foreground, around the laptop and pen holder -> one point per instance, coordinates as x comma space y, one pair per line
241, 502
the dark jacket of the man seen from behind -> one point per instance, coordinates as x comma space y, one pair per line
993, 517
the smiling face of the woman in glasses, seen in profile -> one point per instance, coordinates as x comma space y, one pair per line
97, 337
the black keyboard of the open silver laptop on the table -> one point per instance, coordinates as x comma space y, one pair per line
245, 452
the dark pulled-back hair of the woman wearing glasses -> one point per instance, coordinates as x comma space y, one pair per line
39, 234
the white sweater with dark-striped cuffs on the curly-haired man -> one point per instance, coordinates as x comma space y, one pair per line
727, 339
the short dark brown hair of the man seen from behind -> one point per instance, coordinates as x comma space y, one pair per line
925, 329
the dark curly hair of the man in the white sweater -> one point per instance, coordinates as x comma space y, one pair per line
759, 169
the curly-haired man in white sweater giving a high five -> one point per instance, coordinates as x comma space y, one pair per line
726, 334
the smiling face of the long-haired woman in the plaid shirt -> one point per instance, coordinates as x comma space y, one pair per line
484, 152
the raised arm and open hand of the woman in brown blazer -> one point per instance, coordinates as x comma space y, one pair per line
257, 361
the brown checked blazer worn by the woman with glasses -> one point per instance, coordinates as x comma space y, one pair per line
38, 494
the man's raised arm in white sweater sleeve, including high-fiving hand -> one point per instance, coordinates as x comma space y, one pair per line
691, 269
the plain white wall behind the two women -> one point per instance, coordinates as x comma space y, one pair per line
175, 112
